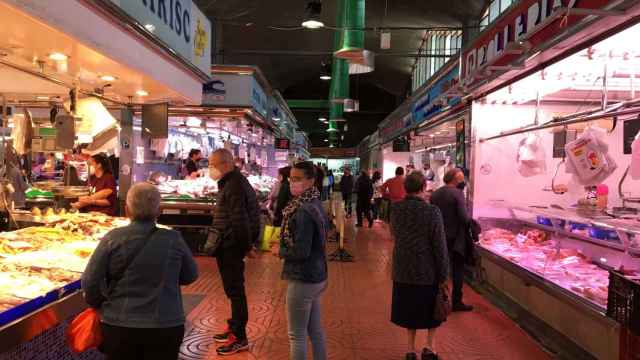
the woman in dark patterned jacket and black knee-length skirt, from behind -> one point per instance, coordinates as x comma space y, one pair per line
420, 265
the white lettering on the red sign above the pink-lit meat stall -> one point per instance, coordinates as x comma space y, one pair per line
523, 24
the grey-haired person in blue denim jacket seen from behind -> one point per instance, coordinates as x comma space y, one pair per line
134, 278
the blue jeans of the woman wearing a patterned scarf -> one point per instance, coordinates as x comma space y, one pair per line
303, 315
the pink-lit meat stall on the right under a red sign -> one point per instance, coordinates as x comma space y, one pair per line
553, 122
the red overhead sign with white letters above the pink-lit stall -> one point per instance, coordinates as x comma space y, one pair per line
533, 21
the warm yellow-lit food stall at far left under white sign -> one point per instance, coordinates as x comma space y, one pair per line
66, 88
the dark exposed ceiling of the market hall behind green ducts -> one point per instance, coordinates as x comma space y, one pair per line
252, 32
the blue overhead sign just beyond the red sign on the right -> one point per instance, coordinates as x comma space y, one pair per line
437, 97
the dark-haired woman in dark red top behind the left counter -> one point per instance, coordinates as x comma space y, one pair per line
102, 185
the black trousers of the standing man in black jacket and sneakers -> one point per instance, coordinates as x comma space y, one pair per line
231, 268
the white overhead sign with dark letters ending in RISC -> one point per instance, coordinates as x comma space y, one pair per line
178, 23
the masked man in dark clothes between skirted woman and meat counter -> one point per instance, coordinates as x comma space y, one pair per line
450, 200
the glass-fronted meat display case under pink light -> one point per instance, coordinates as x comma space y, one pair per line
553, 264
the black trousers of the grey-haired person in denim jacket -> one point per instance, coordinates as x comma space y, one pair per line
123, 343
